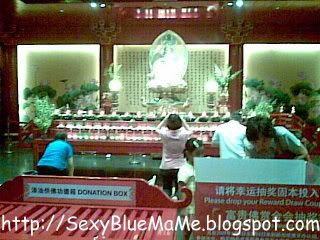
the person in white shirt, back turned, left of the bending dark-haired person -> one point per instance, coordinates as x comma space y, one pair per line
230, 136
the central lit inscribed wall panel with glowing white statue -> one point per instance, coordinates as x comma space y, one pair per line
146, 81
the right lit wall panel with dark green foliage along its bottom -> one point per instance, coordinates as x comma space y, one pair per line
286, 74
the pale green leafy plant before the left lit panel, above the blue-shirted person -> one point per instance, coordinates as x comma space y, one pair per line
43, 113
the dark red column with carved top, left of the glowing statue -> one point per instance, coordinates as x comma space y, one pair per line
106, 31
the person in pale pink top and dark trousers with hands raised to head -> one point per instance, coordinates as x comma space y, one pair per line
173, 137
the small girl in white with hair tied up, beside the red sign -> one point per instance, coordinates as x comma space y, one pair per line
186, 177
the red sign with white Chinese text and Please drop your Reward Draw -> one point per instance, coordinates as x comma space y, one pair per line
251, 211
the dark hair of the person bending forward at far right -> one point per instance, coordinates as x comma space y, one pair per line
259, 127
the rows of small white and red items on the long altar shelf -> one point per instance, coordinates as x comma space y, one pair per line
104, 130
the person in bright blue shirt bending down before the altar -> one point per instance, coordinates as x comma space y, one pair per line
57, 158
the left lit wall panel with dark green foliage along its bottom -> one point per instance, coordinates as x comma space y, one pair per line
68, 70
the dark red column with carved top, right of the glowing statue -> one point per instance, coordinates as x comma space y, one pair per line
236, 32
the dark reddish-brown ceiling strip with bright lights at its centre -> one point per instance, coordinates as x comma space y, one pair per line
283, 12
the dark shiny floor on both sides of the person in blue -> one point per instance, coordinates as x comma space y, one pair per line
21, 161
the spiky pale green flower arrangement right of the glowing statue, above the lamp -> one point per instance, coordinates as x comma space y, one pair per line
223, 76
